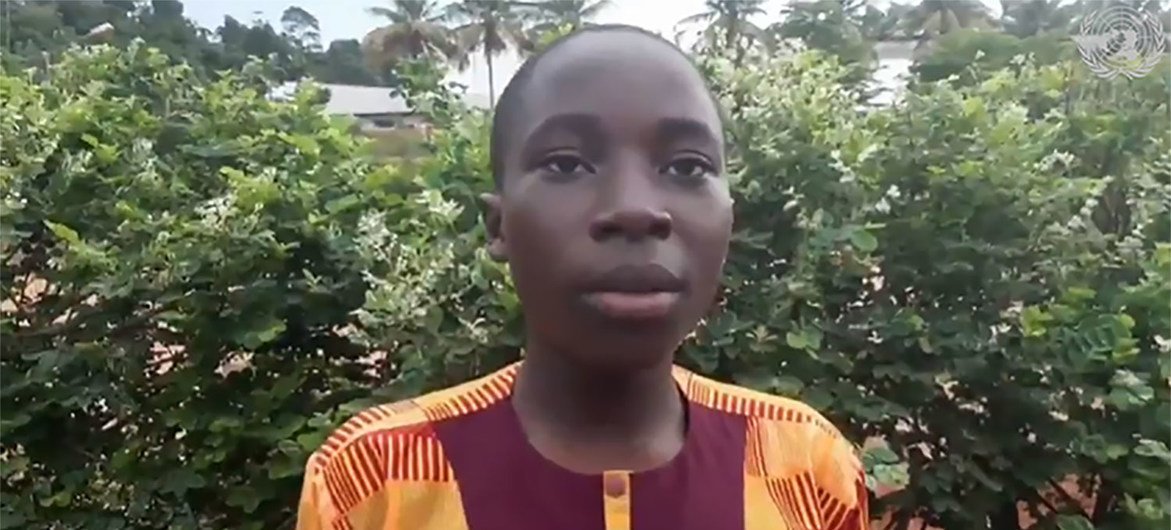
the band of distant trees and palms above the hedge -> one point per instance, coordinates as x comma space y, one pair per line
949, 37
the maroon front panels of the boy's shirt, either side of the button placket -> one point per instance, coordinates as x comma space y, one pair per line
506, 485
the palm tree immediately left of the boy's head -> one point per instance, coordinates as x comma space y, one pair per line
490, 27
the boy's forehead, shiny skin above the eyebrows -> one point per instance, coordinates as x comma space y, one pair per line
624, 77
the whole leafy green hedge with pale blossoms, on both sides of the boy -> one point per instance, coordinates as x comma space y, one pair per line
201, 283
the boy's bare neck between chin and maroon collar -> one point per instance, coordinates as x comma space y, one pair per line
585, 404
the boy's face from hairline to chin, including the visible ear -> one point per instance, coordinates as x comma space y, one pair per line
615, 216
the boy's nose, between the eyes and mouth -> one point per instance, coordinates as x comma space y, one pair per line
633, 212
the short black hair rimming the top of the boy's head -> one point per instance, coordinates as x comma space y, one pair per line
511, 97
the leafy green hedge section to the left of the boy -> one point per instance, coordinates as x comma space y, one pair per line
183, 267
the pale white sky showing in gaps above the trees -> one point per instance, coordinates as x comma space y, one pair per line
348, 19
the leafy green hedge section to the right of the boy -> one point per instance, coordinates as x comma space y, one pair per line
965, 277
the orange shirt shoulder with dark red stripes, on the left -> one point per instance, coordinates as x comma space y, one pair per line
399, 442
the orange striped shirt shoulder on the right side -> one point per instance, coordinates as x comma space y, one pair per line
786, 439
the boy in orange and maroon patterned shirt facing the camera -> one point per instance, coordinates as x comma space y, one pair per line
615, 219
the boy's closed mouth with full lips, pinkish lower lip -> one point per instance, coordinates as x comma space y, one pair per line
635, 292
